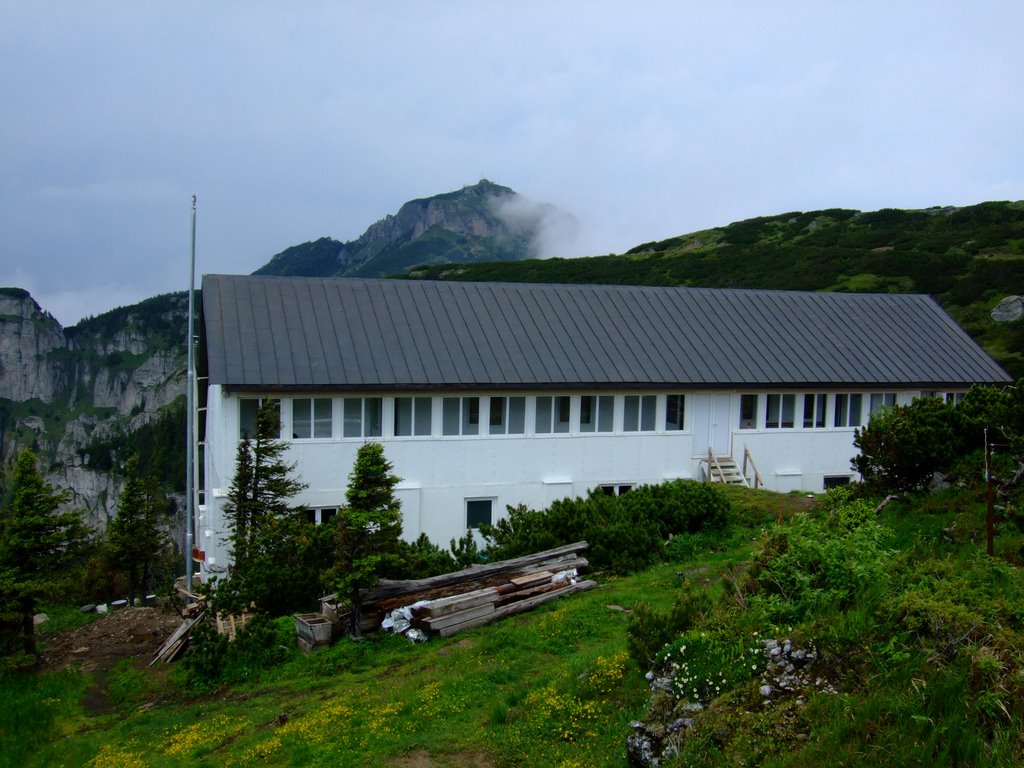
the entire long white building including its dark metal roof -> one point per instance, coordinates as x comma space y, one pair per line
492, 395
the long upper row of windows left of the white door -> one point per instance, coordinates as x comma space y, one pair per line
313, 418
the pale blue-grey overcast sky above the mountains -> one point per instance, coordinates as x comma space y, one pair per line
646, 120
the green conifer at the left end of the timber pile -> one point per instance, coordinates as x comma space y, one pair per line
369, 529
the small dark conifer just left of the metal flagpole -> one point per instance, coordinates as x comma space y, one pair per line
137, 536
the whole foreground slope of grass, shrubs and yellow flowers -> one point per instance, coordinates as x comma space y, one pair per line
910, 643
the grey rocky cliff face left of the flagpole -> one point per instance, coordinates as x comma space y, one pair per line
64, 390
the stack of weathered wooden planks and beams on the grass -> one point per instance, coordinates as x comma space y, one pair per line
445, 606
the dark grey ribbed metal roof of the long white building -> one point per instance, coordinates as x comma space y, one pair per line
340, 334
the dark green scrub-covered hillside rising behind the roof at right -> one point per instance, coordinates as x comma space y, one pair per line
968, 259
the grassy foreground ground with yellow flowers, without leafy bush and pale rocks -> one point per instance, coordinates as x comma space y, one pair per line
557, 688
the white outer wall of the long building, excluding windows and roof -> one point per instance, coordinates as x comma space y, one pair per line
440, 474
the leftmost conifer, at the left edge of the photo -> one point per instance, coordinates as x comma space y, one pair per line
36, 542
